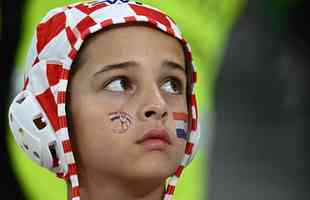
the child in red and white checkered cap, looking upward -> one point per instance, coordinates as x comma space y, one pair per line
117, 116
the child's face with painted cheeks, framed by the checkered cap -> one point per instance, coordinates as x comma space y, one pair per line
113, 107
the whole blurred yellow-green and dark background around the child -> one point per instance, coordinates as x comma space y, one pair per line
252, 58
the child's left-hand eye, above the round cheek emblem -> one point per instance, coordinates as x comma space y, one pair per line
119, 84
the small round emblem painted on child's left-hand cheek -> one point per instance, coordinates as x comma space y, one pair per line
121, 120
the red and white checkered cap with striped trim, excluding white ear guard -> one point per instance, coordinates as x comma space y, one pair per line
55, 44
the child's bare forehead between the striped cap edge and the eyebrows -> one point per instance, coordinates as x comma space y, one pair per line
125, 39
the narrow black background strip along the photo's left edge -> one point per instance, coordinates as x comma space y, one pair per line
12, 12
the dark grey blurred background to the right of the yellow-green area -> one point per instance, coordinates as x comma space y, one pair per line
260, 146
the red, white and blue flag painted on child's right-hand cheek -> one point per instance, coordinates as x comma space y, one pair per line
181, 124
